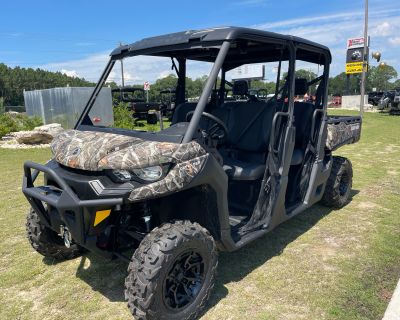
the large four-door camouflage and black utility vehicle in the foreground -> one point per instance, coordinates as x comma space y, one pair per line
222, 175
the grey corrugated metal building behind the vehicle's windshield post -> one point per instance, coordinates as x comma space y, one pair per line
64, 105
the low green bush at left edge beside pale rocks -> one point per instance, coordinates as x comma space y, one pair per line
17, 122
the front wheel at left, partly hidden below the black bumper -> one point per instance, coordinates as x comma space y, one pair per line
47, 242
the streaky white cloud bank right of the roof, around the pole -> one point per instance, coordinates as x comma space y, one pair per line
333, 30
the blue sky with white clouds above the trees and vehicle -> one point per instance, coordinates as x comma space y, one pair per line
75, 37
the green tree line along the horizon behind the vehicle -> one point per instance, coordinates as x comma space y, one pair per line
13, 81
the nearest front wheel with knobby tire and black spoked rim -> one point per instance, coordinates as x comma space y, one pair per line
172, 272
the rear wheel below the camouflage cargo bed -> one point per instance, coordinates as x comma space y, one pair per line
338, 186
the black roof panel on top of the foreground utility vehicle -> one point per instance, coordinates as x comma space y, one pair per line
198, 40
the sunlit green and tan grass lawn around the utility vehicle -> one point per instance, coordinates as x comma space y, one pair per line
322, 264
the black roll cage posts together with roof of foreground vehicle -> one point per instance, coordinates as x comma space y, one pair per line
227, 48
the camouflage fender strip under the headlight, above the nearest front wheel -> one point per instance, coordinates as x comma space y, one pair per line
181, 175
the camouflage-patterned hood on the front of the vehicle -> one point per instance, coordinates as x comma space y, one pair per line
95, 151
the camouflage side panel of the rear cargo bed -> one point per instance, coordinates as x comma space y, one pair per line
342, 133
